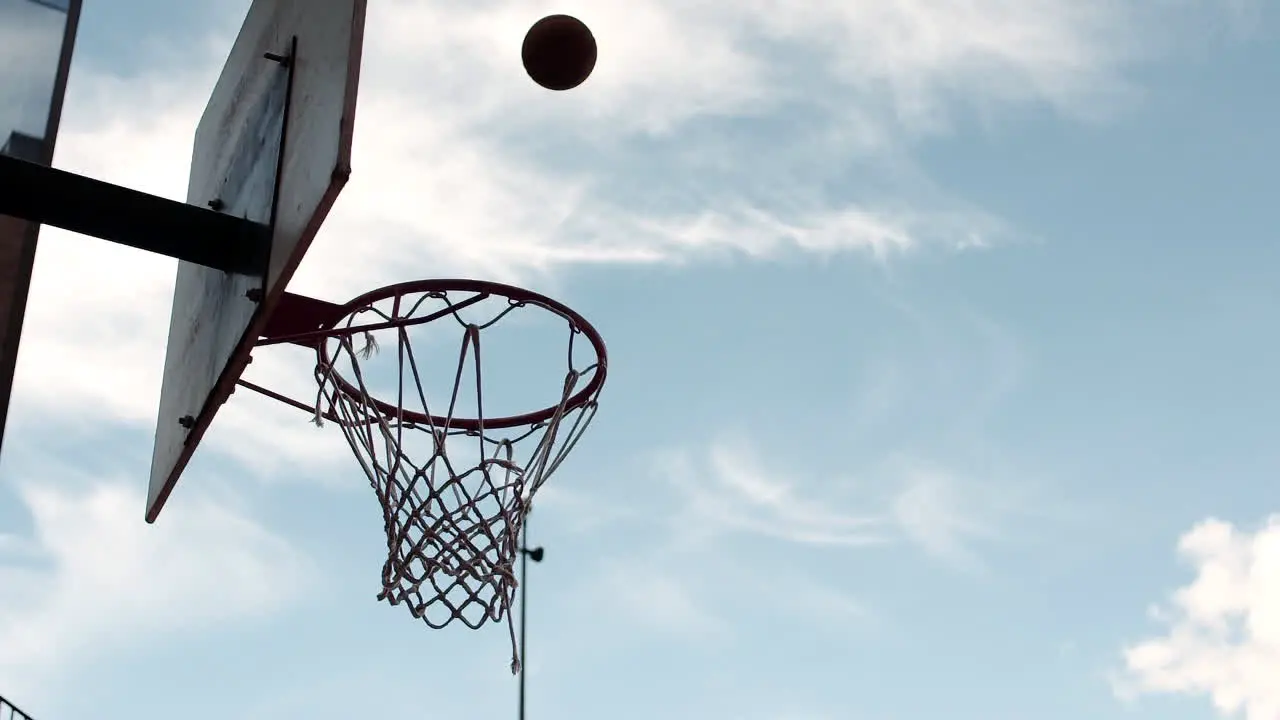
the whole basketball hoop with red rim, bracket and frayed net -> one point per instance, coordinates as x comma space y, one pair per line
455, 487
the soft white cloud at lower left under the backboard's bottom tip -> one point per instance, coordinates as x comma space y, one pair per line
74, 591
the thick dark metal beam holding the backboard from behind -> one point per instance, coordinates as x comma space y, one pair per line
56, 198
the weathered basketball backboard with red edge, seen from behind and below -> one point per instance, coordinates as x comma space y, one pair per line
273, 147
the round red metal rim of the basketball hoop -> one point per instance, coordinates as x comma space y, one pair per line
455, 285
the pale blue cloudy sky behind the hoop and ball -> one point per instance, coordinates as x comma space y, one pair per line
941, 373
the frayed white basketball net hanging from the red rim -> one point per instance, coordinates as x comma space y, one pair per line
455, 493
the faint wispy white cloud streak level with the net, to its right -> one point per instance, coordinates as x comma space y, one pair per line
948, 516
